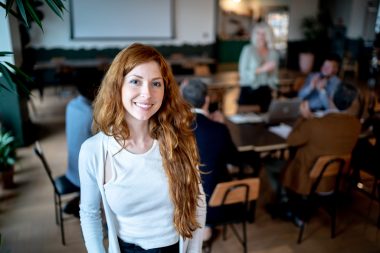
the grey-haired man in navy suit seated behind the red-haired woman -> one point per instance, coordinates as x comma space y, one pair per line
215, 145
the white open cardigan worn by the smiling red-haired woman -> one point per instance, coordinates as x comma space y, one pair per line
92, 160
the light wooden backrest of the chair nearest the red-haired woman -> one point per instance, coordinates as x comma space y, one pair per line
237, 191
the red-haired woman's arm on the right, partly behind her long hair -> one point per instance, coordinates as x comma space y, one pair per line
195, 243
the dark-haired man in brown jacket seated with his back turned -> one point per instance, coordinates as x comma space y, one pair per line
335, 133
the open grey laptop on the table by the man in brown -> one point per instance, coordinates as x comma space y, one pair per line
282, 110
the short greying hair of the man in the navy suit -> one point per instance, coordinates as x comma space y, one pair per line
195, 92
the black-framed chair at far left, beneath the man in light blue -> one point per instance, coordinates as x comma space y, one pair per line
62, 186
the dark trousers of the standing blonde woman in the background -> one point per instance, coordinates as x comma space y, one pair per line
261, 96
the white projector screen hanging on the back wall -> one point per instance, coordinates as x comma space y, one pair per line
121, 19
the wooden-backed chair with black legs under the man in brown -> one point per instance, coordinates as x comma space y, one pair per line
328, 166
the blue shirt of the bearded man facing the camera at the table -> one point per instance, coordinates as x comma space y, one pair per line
318, 99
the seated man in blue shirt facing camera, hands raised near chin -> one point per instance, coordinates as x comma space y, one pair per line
319, 87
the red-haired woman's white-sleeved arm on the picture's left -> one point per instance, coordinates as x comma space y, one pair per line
90, 216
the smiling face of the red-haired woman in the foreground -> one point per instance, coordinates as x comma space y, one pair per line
143, 91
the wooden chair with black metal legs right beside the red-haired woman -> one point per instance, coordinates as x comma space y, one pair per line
234, 198
